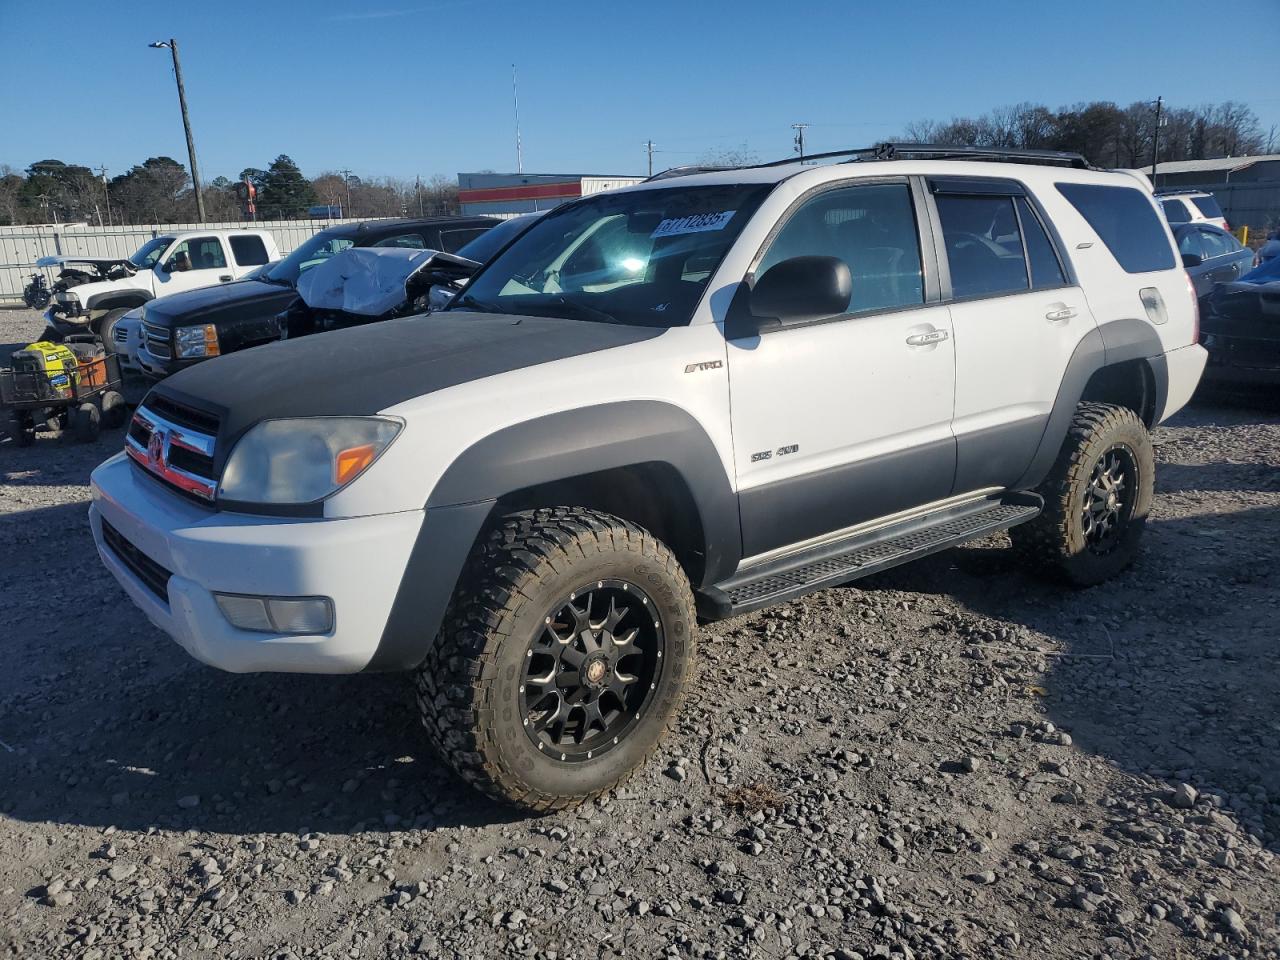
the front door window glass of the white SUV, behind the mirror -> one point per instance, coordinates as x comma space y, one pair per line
872, 228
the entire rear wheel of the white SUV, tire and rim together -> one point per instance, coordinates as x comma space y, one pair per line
1069, 540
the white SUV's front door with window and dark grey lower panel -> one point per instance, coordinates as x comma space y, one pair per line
848, 419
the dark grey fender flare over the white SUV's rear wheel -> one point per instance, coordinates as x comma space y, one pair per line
1117, 342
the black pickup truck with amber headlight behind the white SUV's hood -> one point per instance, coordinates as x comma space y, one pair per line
189, 328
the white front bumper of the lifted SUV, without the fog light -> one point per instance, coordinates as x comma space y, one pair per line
356, 563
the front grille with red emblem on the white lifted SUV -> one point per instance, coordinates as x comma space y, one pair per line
176, 444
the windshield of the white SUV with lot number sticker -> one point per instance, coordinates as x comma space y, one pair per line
634, 258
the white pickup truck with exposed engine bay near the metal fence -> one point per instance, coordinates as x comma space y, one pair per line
92, 294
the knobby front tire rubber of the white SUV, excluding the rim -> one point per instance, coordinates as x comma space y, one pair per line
470, 685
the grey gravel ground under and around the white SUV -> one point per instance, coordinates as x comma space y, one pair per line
948, 761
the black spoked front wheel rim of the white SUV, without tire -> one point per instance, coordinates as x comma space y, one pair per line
592, 671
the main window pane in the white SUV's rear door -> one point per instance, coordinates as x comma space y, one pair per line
985, 246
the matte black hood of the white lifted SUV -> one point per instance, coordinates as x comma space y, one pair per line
364, 371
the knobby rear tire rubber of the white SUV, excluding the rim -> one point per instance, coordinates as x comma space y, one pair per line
1055, 542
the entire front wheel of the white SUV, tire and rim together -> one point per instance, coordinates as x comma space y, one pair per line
520, 579
